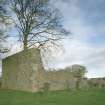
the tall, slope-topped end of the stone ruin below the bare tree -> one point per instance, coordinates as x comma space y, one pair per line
20, 71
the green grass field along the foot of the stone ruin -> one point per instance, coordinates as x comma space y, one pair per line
91, 97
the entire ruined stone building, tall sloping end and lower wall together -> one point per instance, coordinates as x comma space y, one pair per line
25, 71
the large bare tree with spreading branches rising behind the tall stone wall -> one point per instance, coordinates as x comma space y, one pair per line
38, 22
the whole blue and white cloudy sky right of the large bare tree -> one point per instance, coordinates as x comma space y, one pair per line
86, 21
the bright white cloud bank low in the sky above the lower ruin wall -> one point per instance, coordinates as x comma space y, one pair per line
83, 54
